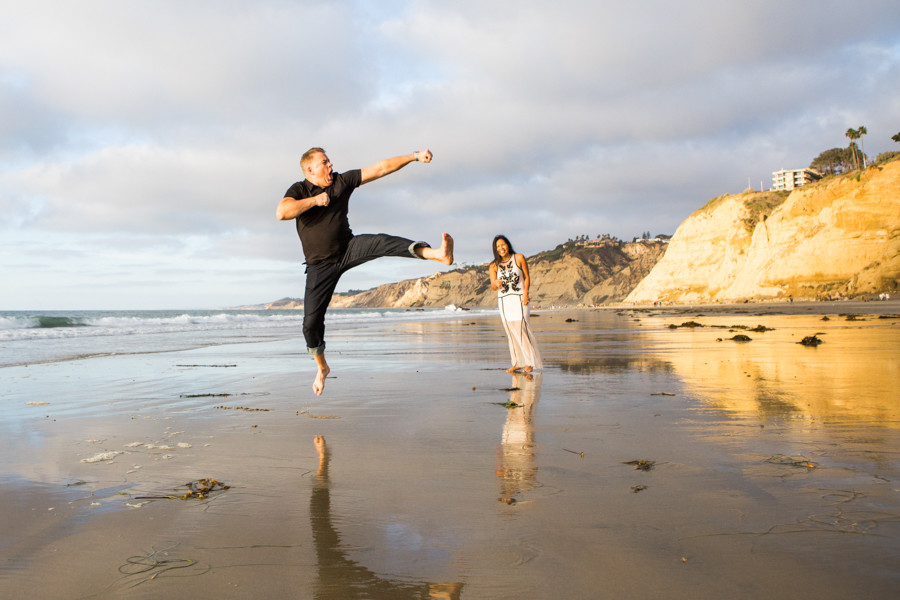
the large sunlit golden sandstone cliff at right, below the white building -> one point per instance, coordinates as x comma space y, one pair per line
836, 238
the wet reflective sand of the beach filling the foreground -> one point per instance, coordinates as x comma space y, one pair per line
775, 466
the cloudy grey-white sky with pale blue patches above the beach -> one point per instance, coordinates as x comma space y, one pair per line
144, 145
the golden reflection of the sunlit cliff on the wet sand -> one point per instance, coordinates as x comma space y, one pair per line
852, 376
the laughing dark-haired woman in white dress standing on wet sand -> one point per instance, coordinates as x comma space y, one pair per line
509, 276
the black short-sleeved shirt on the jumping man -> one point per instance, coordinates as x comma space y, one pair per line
325, 230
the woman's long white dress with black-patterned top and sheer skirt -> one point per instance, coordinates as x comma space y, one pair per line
515, 316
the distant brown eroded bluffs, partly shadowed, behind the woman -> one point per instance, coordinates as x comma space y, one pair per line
569, 275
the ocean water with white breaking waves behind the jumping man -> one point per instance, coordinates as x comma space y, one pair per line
51, 336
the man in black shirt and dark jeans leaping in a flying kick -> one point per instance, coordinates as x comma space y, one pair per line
319, 204
